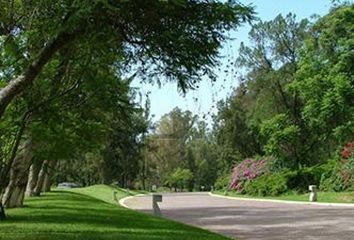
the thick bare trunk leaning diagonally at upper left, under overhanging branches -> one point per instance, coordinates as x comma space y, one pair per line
21, 82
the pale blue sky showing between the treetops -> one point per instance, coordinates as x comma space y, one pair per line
202, 101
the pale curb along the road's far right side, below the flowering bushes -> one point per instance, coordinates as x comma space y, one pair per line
284, 201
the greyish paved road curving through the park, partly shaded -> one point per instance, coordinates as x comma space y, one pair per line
251, 220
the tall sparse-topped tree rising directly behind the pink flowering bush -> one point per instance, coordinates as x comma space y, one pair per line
271, 62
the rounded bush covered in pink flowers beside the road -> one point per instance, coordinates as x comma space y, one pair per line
247, 170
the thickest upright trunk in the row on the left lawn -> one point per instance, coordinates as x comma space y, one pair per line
14, 193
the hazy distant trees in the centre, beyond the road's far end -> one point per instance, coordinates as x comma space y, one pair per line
179, 153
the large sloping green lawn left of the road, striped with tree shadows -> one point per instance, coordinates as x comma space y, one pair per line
89, 213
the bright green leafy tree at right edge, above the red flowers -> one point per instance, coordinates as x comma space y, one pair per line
325, 80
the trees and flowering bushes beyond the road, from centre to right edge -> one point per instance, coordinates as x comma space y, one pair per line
288, 124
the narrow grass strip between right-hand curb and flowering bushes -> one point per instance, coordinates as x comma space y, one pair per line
328, 197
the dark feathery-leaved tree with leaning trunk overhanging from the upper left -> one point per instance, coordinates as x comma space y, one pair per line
180, 39
